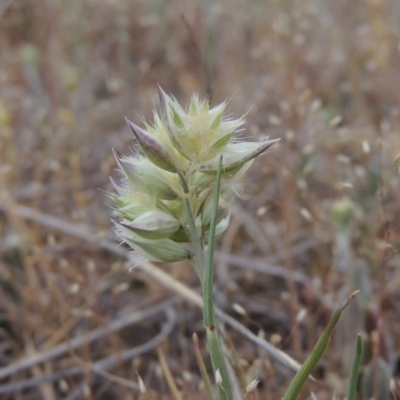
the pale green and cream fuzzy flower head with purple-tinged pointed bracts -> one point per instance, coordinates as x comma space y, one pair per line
178, 160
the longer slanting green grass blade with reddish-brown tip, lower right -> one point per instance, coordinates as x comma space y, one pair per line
302, 375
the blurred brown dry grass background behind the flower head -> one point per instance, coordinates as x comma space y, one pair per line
319, 216
